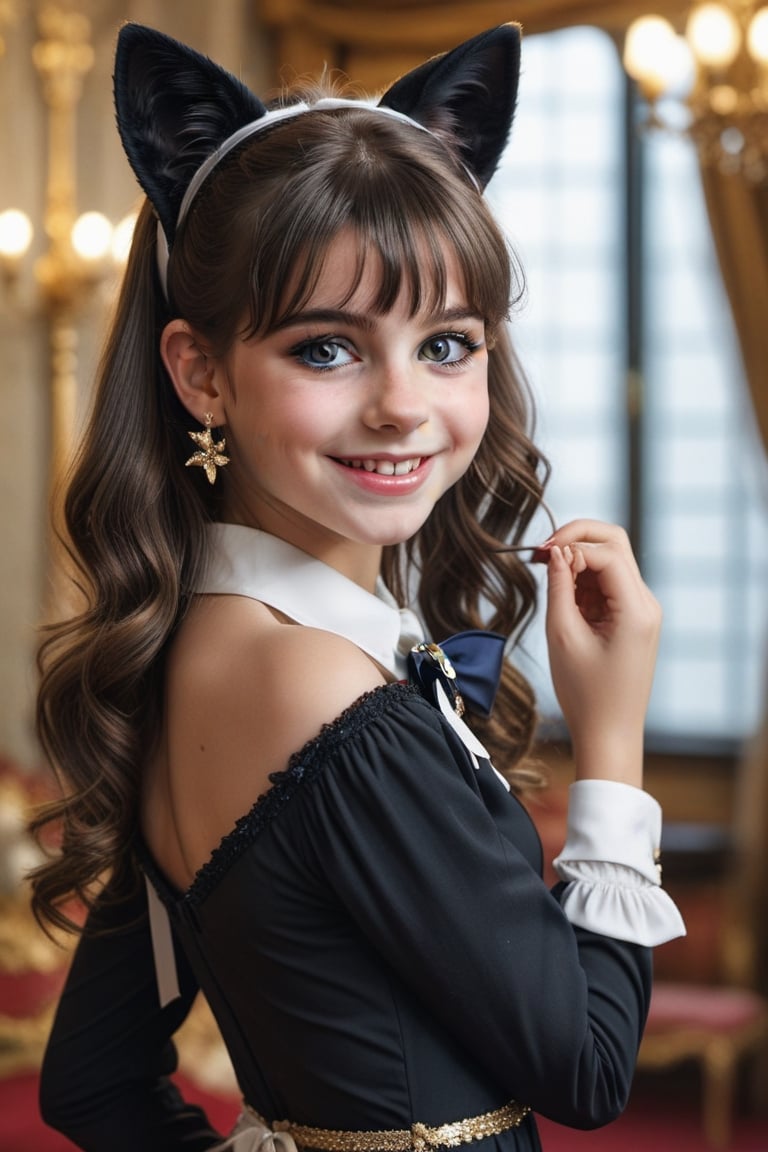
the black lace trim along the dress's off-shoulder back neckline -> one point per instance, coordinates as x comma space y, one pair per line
303, 768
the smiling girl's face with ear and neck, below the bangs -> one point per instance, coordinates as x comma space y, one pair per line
346, 423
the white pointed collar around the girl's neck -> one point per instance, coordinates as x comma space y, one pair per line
247, 562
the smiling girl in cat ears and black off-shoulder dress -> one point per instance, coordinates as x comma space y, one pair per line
308, 418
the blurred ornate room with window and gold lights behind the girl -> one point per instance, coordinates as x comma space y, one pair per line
635, 194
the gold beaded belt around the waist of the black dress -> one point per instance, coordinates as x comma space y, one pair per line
416, 1139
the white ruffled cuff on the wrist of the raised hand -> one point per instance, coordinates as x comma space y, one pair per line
611, 862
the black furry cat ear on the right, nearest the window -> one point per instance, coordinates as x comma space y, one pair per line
470, 94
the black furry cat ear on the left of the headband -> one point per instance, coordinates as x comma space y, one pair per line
174, 109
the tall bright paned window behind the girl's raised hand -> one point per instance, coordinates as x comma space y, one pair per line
621, 271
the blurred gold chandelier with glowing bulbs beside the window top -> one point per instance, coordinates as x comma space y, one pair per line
712, 81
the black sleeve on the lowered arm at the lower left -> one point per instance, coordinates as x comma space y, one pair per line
105, 1080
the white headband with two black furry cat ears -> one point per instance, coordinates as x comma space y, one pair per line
179, 113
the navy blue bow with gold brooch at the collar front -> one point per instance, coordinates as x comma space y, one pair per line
468, 666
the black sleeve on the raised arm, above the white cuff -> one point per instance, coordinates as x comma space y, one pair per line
424, 850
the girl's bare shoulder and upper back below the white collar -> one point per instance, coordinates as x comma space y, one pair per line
245, 692
